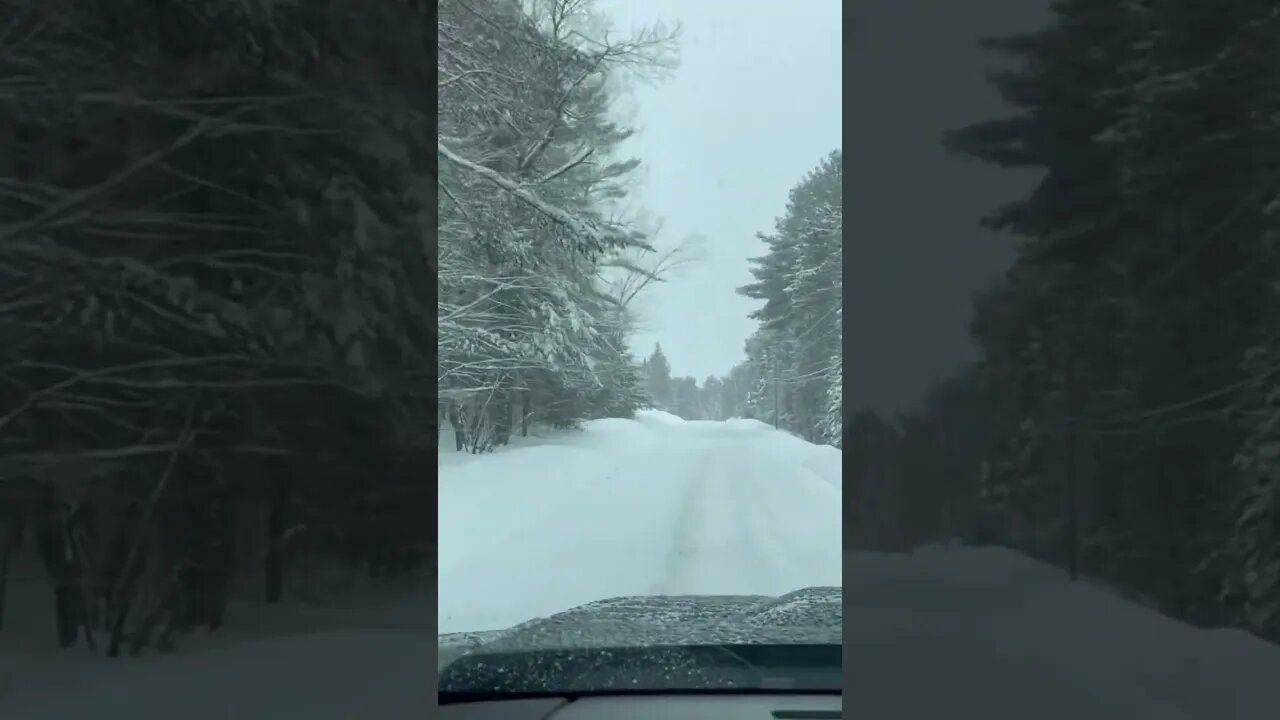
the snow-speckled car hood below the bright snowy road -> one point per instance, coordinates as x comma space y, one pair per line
806, 617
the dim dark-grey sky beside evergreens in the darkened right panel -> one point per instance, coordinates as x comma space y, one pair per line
918, 253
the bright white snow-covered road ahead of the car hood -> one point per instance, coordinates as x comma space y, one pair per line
650, 507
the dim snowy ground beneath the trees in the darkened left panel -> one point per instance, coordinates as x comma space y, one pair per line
365, 654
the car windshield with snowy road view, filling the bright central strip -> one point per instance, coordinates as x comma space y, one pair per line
641, 339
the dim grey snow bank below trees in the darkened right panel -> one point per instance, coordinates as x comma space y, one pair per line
984, 632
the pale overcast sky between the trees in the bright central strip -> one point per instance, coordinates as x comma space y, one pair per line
755, 106
